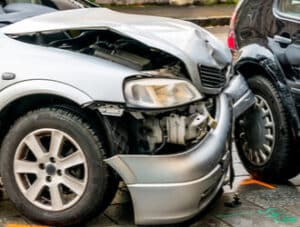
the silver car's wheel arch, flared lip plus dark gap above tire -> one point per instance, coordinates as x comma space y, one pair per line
23, 97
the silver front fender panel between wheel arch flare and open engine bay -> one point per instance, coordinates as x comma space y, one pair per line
99, 78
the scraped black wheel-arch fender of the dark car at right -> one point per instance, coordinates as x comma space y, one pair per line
259, 56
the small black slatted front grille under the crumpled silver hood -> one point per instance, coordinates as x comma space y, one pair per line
212, 77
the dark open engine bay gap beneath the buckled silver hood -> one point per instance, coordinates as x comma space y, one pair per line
108, 45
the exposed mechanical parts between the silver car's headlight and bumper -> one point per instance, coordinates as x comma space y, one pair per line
157, 132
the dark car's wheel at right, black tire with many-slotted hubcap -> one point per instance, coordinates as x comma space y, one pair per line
262, 135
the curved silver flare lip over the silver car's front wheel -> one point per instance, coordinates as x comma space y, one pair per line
32, 87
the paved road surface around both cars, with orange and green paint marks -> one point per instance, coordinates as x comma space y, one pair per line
261, 204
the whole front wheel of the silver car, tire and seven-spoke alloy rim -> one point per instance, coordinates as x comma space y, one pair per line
84, 189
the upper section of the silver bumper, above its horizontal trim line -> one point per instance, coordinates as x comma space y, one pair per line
193, 163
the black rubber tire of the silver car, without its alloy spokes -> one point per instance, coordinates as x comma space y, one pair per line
100, 185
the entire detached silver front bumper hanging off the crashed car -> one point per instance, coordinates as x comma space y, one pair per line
173, 188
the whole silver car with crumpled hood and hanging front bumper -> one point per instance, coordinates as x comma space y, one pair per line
89, 97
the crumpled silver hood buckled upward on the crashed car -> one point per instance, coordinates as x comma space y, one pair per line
188, 42
